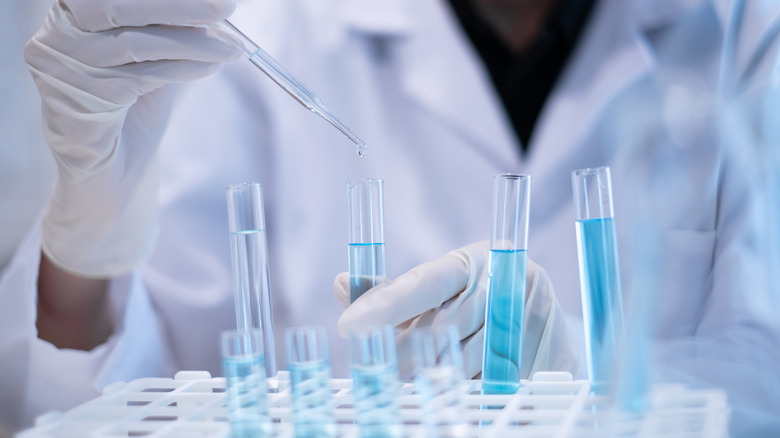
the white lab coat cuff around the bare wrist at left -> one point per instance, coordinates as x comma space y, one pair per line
36, 377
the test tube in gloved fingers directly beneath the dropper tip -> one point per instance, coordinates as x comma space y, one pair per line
366, 235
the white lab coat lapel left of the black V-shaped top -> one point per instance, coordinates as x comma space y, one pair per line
439, 71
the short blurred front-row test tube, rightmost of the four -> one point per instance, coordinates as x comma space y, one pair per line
439, 379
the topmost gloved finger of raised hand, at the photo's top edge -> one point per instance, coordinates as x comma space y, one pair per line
93, 16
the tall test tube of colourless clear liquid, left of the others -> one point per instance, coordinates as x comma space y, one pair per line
250, 265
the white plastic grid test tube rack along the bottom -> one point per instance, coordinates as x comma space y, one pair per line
193, 404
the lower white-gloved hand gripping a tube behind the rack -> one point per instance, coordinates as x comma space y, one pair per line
453, 290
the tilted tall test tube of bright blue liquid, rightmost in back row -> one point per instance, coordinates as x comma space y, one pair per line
599, 273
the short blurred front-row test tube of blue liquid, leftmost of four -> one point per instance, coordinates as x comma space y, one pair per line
242, 364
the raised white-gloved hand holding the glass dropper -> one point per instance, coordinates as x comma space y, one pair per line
101, 67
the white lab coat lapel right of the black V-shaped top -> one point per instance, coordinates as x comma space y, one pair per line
611, 56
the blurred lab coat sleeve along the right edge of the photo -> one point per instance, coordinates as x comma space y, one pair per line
737, 344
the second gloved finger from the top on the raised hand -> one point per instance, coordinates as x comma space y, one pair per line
117, 47
